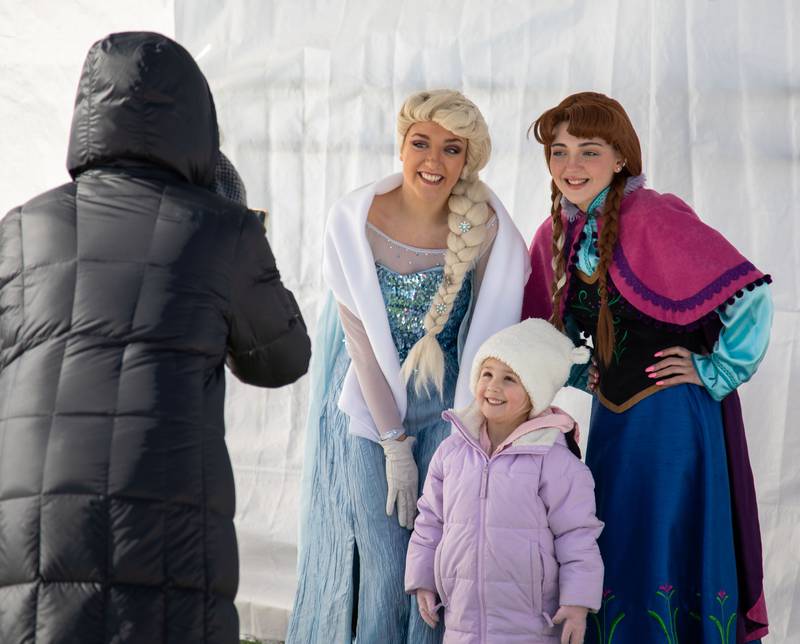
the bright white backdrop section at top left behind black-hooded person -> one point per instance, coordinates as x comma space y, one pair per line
42, 47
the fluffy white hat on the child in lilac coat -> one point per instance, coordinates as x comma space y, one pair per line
538, 353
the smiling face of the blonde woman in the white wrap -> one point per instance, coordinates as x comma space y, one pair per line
433, 158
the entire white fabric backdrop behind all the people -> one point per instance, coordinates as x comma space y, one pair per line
307, 92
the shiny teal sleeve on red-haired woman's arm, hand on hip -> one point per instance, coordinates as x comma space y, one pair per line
741, 345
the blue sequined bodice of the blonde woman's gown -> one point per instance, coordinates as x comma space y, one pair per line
408, 297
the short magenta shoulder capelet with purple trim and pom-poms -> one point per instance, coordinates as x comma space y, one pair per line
667, 263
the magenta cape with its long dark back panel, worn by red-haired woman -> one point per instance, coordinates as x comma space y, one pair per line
672, 267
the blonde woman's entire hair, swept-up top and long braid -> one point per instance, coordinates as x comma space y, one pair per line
469, 212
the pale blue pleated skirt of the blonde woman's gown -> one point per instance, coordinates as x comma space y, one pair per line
352, 559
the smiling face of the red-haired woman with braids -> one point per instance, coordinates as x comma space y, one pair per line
582, 168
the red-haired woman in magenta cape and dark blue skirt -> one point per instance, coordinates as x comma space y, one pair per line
678, 319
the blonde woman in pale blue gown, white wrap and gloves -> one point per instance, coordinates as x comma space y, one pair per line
424, 266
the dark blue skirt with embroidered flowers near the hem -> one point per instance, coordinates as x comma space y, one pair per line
662, 490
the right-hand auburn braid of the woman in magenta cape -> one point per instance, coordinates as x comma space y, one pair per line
606, 244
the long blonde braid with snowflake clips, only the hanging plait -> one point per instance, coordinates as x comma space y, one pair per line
469, 212
